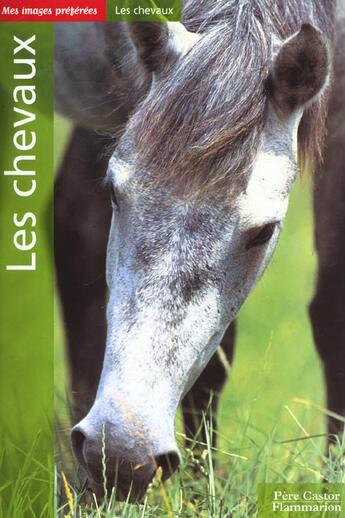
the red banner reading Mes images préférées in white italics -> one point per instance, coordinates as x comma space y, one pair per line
52, 10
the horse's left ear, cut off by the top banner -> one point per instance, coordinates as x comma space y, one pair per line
160, 45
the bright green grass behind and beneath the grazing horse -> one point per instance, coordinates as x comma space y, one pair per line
272, 417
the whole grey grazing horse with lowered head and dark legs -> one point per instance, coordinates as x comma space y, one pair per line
212, 119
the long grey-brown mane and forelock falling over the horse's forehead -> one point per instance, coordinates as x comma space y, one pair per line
204, 122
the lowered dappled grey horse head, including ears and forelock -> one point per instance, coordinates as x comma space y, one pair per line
200, 182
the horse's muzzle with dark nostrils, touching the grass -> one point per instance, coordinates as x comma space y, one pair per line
122, 455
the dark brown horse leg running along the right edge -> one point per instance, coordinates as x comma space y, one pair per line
327, 310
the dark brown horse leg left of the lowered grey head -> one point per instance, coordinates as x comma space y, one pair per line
82, 219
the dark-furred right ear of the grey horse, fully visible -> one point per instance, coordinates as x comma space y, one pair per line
300, 70
